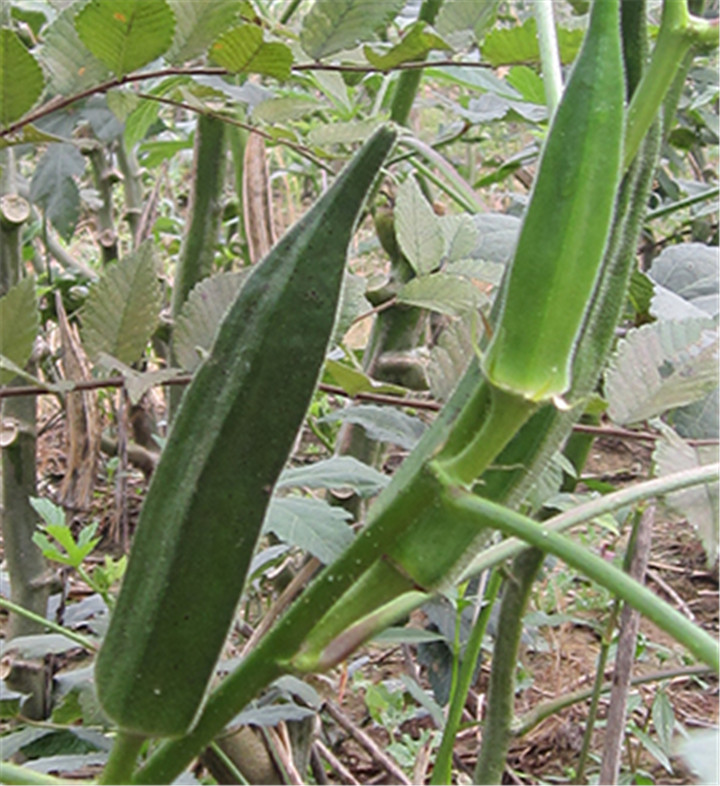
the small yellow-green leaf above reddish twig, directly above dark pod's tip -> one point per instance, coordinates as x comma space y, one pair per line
244, 50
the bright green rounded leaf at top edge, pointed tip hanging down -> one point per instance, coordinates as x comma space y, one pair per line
126, 34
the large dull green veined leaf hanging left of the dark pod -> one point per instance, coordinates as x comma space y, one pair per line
122, 308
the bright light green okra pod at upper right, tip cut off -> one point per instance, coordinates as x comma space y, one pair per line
566, 226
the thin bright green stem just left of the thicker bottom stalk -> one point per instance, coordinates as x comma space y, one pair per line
442, 772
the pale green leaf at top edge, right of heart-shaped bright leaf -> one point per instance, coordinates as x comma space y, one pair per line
197, 25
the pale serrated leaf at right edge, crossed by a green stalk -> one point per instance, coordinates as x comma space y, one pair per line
699, 505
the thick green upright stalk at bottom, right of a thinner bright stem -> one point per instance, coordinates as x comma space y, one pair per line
501, 693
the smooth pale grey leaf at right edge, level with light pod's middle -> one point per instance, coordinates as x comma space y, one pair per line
690, 271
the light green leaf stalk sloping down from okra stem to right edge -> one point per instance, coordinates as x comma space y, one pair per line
490, 514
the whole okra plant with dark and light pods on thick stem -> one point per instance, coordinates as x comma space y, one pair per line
549, 334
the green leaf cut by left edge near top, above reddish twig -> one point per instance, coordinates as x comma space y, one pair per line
21, 78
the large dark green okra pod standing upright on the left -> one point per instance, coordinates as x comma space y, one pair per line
231, 437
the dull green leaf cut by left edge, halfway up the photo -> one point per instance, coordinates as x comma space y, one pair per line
19, 322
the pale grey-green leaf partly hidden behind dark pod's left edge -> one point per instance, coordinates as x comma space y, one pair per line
202, 312
